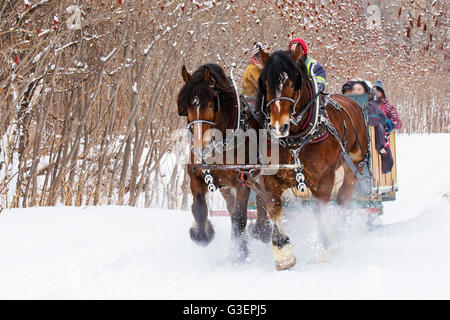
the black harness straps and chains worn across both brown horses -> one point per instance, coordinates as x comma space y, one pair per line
316, 129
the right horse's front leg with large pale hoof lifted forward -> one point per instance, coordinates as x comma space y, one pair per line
281, 246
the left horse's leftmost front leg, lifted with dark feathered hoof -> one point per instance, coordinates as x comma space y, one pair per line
202, 231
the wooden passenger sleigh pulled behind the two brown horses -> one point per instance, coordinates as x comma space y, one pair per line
383, 186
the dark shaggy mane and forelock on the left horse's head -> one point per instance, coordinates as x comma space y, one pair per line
197, 87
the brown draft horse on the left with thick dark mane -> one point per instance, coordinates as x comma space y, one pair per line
208, 100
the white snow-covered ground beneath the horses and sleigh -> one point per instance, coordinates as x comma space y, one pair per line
121, 252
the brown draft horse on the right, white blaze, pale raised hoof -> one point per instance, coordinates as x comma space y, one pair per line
283, 78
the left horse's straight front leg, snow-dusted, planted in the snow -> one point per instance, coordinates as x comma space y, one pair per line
239, 221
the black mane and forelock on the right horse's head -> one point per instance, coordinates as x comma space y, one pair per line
279, 64
